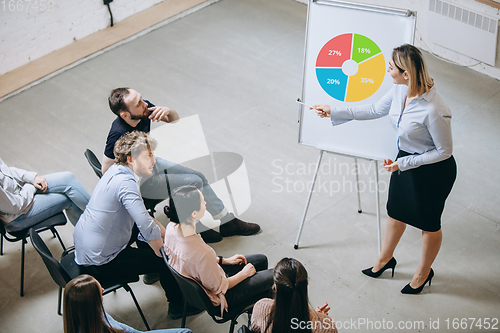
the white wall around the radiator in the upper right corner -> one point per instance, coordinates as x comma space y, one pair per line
422, 33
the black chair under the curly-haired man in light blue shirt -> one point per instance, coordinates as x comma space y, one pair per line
66, 269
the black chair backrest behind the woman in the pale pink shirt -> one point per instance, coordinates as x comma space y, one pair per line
193, 293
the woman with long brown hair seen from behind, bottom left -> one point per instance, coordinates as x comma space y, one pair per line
83, 311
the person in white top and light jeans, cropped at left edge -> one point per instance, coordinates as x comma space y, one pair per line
27, 199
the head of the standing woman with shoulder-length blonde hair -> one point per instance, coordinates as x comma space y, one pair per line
408, 58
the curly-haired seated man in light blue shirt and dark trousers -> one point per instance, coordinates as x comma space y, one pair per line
104, 234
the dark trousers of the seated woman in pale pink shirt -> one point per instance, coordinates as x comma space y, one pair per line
258, 284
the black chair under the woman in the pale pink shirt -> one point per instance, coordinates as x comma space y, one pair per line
195, 295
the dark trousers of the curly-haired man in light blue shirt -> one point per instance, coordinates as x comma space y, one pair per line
136, 261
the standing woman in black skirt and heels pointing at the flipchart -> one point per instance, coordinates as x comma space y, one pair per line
424, 171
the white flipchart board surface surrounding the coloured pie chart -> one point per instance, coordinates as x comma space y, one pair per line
388, 28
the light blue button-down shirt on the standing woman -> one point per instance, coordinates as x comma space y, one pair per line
423, 127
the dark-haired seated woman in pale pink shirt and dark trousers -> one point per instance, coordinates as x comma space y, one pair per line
227, 281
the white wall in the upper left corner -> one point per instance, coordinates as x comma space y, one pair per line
29, 33
